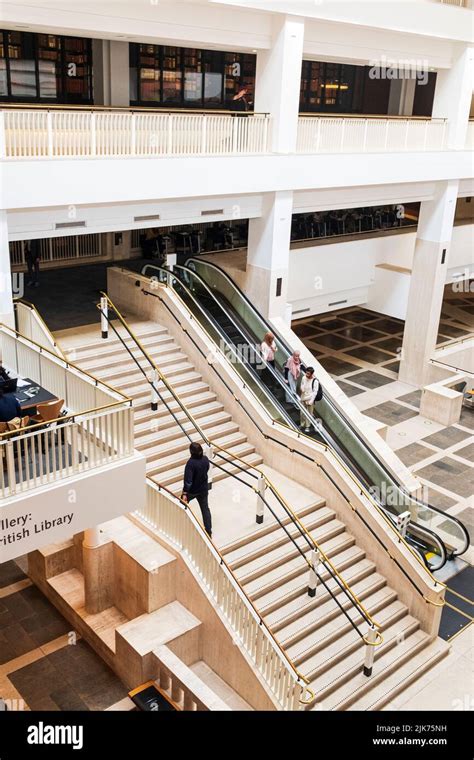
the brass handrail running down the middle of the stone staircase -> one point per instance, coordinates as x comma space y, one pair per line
268, 482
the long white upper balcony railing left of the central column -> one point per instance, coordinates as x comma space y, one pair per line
64, 134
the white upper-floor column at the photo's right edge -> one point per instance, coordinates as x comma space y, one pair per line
453, 94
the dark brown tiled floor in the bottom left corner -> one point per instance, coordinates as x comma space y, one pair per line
42, 661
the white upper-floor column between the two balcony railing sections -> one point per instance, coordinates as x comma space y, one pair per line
277, 85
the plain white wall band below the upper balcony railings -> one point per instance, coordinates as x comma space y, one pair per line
40, 183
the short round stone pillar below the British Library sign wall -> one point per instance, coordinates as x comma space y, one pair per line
97, 571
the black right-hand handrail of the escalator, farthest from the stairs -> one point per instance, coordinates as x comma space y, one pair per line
336, 409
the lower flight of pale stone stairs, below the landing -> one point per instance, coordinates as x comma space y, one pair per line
314, 632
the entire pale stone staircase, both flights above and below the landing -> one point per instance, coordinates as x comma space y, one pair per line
316, 635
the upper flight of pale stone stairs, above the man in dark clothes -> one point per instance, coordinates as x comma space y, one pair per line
157, 435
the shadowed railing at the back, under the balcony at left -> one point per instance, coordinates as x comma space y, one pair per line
64, 248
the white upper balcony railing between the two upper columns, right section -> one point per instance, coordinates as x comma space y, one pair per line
356, 135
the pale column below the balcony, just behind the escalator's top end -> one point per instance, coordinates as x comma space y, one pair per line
268, 254
